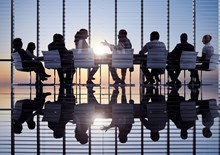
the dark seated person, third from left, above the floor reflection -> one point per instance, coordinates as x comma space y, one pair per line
66, 59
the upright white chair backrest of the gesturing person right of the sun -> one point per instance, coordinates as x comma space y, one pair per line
122, 58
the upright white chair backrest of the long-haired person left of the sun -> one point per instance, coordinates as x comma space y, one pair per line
83, 58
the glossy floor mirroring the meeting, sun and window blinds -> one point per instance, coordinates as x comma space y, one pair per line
111, 120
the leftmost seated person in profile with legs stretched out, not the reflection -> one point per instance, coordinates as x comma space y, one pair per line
28, 62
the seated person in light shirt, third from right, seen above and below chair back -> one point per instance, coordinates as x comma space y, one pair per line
153, 44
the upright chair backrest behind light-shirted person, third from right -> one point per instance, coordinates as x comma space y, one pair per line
157, 58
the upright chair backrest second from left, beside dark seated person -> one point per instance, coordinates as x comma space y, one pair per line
52, 59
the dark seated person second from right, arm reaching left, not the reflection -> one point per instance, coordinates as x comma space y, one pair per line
173, 66
